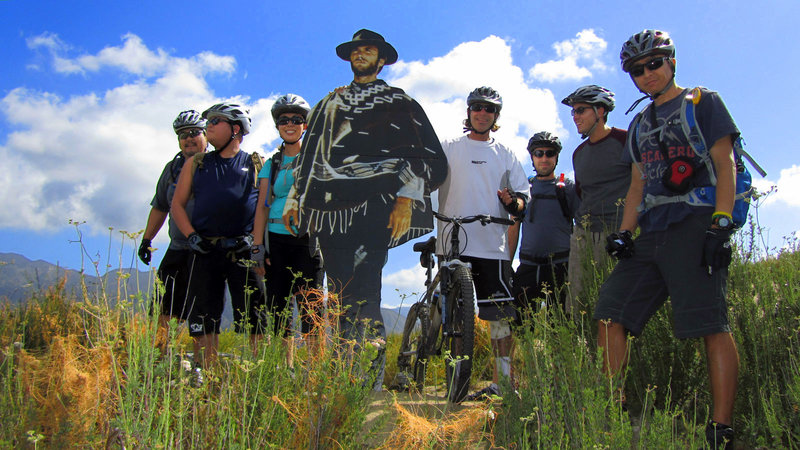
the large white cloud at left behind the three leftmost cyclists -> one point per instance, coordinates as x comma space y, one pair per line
96, 156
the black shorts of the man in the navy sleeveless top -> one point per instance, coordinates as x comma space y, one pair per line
209, 275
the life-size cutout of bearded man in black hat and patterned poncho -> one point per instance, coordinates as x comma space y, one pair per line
362, 184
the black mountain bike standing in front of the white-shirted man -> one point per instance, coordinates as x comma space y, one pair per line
444, 318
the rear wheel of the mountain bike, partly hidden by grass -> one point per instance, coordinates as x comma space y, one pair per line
412, 359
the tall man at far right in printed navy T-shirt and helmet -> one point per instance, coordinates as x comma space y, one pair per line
683, 250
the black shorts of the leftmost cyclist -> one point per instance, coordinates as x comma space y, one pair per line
174, 274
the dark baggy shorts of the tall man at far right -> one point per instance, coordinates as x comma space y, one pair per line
667, 263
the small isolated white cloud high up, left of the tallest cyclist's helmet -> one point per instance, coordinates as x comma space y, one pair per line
586, 48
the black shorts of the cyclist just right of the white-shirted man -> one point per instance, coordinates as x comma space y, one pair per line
534, 283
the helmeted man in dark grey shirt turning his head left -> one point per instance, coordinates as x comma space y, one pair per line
601, 180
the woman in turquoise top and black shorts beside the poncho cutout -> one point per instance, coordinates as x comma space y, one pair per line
292, 263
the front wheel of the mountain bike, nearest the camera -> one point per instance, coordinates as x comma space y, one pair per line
461, 336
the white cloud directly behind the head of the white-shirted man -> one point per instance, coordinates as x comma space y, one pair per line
441, 86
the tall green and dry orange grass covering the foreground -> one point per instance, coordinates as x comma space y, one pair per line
86, 374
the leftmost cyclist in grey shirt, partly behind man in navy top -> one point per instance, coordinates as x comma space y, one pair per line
173, 271
